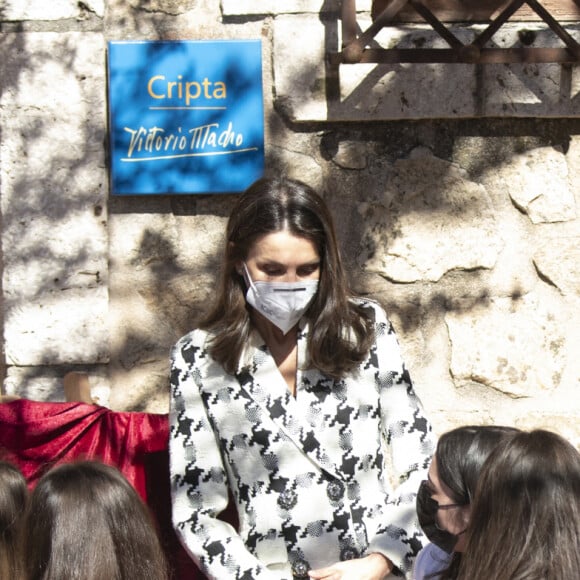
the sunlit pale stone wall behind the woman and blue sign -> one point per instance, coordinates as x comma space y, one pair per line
455, 190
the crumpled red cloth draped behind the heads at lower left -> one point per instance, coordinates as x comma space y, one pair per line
35, 435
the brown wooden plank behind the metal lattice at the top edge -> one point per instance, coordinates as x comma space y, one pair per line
482, 10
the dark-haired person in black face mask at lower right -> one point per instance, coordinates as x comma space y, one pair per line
444, 499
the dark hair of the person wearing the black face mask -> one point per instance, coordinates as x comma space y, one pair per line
461, 454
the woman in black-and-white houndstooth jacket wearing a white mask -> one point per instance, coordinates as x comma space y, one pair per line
292, 396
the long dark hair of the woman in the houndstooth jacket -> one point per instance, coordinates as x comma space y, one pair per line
341, 331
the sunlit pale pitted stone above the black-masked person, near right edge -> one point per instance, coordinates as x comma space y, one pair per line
516, 347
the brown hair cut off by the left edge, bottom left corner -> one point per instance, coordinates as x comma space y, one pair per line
13, 501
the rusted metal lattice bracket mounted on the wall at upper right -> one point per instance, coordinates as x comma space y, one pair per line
356, 46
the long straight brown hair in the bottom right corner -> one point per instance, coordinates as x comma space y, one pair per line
525, 520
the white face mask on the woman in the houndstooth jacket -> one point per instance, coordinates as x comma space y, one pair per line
282, 303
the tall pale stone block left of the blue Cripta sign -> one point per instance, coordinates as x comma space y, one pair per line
54, 188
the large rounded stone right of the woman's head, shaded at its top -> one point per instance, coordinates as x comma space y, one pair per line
431, 220
